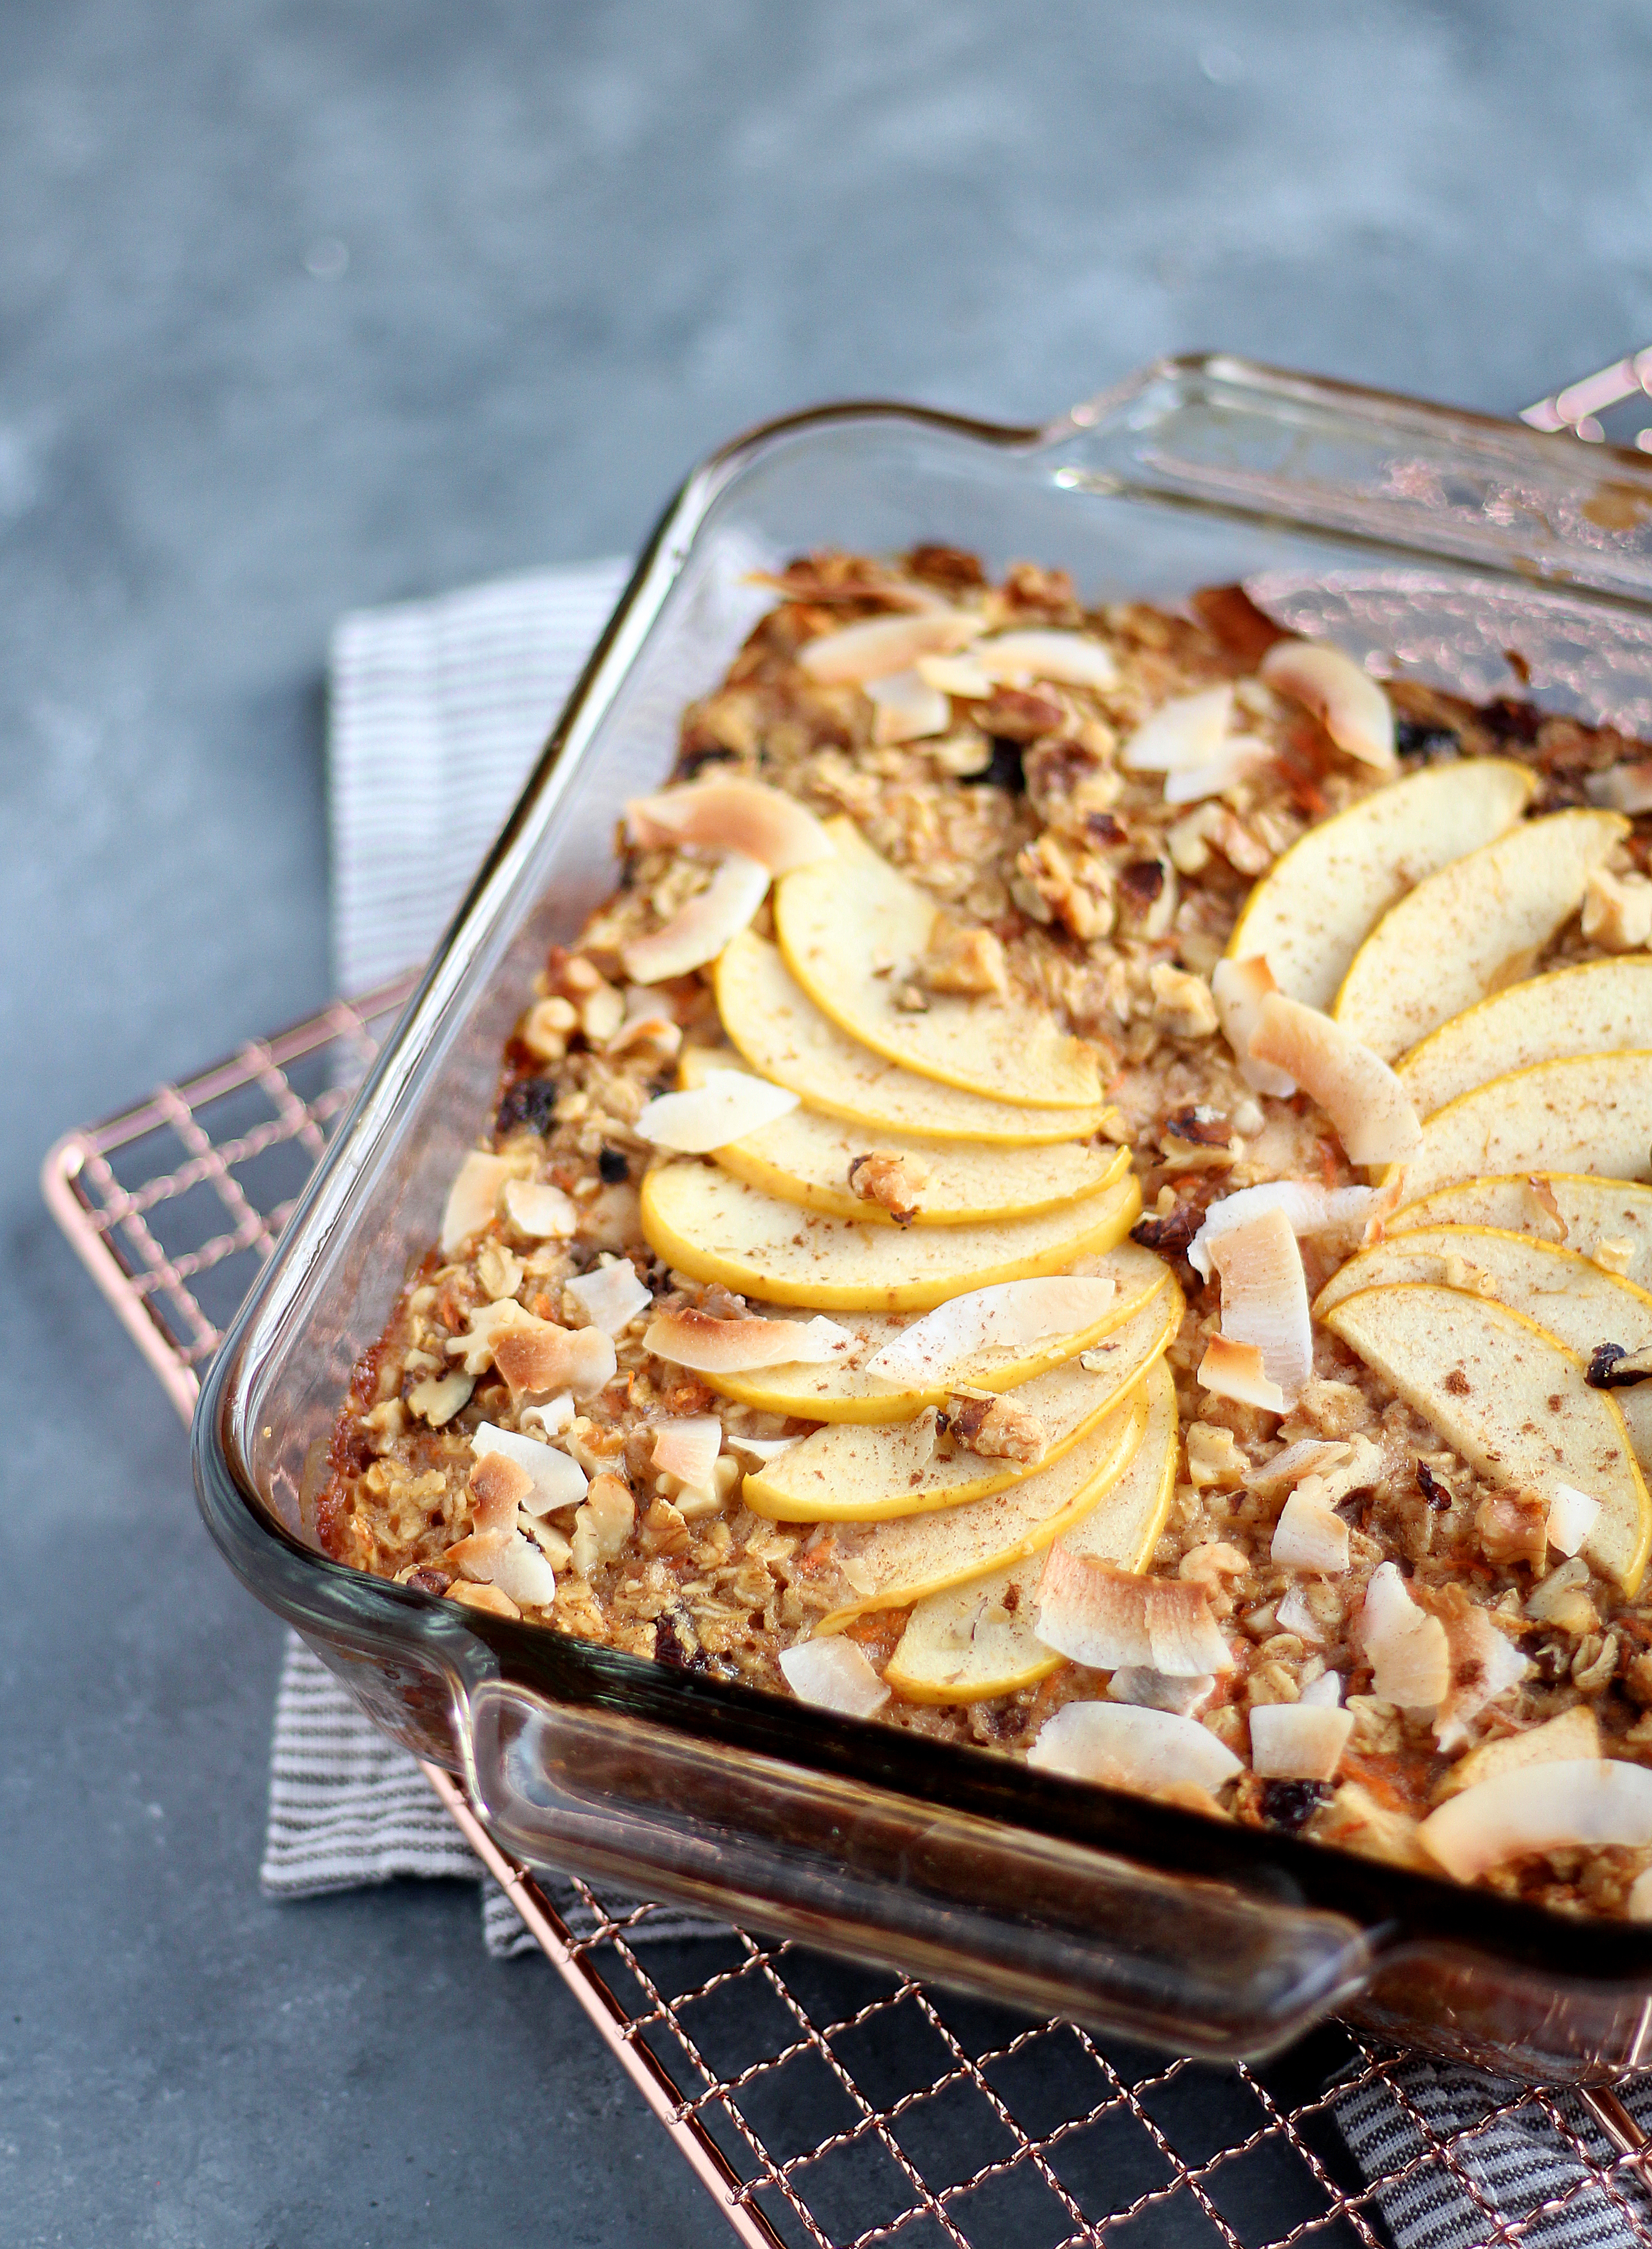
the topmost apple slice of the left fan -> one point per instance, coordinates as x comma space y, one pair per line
855, 932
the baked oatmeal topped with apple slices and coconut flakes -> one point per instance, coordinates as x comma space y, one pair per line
1084, 1195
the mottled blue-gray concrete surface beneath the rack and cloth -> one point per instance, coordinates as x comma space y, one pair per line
309, 307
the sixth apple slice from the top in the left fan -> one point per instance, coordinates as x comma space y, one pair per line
871, 1474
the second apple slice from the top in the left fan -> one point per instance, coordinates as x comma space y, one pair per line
788, 1040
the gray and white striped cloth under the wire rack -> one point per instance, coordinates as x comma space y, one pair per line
437, 714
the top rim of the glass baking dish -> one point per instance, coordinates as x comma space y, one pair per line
1392, 1906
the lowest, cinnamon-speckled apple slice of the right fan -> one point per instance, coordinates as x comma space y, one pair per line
1509, 1400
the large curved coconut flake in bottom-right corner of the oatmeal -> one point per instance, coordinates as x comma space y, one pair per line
1583, 1805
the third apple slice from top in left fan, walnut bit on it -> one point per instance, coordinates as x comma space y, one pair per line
806, 1159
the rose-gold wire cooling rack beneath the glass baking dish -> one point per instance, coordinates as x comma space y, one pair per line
824, 2104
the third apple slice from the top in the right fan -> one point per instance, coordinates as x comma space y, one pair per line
1590, 1009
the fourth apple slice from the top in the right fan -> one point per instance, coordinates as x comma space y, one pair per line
1581, 1114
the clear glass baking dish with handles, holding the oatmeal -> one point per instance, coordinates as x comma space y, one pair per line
1410, 532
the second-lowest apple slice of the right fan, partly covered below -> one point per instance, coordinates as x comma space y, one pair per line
1565, 1294
